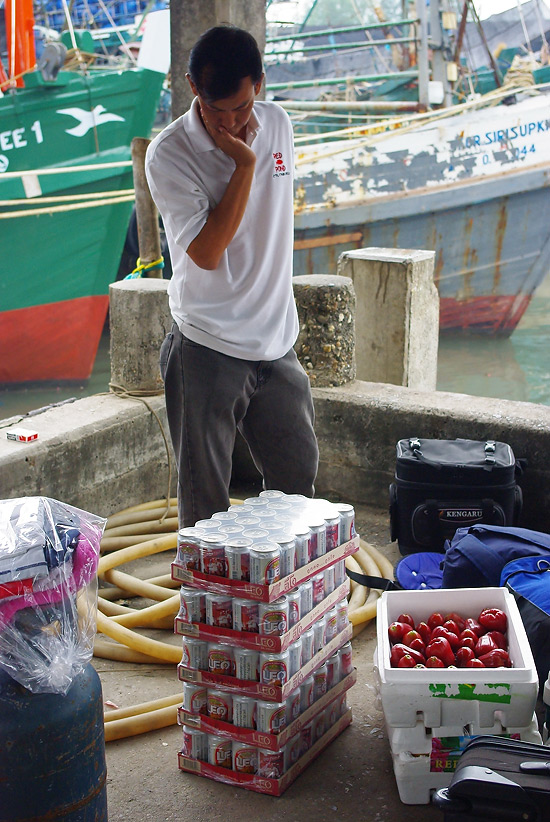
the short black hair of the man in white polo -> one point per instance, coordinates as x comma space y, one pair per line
221, 58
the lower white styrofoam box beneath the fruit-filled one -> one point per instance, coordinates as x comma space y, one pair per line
418, 774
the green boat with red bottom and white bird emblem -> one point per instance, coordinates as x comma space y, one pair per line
66, 191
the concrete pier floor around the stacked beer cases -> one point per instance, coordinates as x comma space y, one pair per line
351, 781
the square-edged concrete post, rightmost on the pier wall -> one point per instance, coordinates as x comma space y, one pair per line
397, 315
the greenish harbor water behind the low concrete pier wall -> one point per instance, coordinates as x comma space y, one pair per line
515, 368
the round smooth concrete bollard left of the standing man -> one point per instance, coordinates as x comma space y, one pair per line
139, 320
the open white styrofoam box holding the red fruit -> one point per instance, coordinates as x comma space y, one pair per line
455, 696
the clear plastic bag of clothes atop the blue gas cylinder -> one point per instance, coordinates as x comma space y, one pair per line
49, 552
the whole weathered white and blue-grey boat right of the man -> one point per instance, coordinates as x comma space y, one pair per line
425, 161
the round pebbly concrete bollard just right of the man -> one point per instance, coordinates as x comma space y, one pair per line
326, 343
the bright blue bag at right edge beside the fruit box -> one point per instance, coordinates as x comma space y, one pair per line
528, 579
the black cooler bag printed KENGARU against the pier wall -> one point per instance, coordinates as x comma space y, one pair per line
442, 485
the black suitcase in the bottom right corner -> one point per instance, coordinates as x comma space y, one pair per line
498, 779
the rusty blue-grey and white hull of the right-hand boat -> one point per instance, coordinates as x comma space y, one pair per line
473, 187
